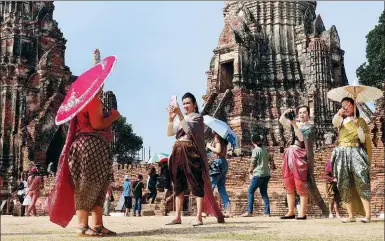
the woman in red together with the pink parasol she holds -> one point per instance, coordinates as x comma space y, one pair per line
85, 163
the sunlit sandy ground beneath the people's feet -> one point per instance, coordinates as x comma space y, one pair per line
153, 228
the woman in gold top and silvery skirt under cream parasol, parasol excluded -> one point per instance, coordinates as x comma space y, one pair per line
351, 161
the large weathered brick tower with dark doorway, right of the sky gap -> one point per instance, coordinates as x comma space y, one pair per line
273, 55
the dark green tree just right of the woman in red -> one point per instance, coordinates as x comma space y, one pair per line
127, 143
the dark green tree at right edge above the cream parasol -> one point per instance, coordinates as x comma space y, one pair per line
372, 72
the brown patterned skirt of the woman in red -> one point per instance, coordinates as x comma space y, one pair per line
90, 166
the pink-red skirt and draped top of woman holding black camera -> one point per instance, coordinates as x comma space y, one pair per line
297, 157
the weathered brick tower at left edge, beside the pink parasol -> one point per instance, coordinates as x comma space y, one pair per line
34, 79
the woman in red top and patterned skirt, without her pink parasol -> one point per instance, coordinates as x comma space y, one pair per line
86, 155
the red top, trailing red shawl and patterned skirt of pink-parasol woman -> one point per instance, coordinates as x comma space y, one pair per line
84, 169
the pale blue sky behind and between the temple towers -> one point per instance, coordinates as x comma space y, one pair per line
164, 49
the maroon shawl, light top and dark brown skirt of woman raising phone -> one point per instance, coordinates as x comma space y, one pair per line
188, 164
